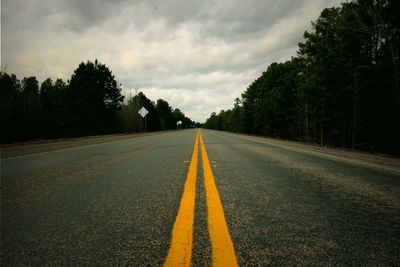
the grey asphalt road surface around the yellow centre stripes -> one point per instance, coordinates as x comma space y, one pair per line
112, 201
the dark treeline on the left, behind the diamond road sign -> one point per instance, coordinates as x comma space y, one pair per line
89, 103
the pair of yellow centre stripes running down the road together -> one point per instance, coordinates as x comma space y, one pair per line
180, 251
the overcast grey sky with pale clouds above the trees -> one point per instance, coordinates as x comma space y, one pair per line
198, 55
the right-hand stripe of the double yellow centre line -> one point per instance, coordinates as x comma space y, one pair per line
223, 252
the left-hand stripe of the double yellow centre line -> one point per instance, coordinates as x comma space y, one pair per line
180, 251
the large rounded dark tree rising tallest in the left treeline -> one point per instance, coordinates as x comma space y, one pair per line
93, 97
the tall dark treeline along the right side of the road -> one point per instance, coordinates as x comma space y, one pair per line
342, 88
